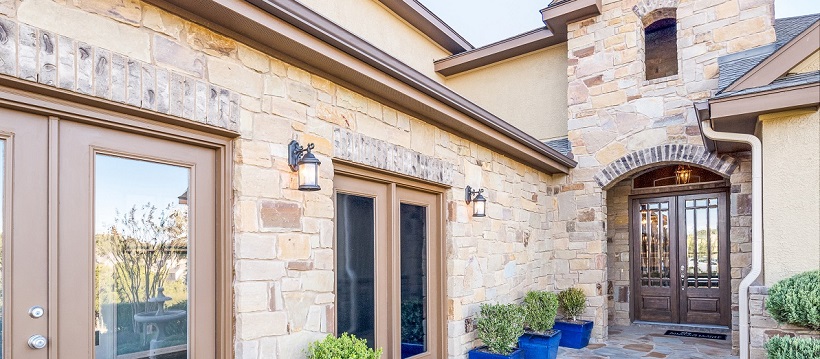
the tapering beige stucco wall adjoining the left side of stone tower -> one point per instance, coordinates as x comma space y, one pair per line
528, 91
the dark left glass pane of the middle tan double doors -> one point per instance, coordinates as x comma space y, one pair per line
355, 285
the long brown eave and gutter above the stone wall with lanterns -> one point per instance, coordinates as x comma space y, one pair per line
299, 35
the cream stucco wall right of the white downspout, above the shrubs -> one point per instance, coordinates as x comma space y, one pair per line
791, 193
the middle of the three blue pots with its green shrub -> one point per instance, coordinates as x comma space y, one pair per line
540, 341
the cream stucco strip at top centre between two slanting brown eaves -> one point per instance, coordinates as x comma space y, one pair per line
376, 24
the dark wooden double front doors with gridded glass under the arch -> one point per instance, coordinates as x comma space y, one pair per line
680, 259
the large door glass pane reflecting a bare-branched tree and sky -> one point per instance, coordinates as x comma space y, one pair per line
141, 259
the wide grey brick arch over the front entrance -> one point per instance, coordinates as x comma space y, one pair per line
664, 154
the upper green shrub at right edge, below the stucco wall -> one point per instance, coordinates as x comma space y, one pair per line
796, 300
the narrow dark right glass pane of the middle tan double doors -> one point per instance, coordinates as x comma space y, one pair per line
413, 280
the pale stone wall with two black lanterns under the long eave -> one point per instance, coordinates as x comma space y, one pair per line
283, 238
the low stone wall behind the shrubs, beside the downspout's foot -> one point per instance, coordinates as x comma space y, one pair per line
764, 327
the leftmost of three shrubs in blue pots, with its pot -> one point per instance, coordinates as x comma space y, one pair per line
499, 326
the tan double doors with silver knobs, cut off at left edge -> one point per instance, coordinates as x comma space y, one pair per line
108, 243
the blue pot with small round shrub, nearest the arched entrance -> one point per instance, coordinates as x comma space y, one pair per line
574, 333
